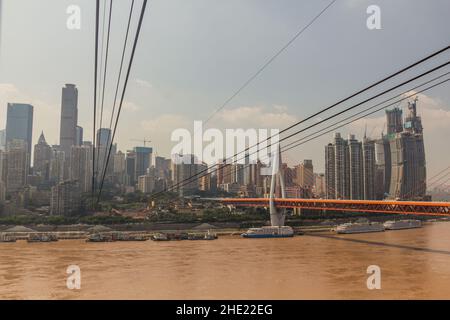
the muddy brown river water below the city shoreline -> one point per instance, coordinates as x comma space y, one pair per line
415, 264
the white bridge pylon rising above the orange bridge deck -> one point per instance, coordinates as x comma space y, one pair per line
277, 216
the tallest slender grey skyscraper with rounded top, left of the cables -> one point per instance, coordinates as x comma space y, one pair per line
69, 119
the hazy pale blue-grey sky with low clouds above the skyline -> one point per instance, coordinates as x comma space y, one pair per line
193, 54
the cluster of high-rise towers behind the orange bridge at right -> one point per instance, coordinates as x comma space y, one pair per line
392, 167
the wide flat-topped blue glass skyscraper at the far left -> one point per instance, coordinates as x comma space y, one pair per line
19, 124
